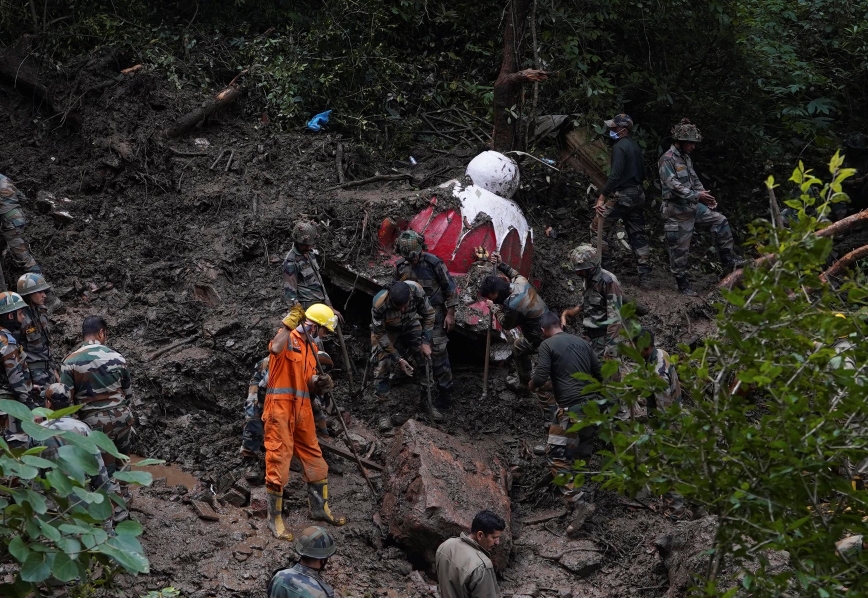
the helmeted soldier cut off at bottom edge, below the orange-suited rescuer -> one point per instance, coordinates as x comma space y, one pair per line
304, 580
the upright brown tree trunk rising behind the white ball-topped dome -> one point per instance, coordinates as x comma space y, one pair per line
507, 87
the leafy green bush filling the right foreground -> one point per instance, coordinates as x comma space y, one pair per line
778, 423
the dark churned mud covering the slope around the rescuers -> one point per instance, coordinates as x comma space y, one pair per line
184, 262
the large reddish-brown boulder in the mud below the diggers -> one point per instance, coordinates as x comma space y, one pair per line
435, 485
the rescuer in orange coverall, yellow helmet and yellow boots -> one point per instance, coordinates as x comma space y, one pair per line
289, 424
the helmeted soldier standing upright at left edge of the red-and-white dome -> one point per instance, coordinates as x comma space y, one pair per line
430, 272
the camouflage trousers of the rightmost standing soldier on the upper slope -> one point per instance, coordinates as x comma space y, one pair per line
680, 222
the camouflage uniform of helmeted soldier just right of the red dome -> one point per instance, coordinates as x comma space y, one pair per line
602, 299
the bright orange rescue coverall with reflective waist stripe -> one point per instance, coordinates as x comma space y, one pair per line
288, 417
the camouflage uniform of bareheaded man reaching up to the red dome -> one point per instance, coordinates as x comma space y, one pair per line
522, 308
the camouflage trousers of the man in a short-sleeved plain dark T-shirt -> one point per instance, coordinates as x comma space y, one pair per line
564, 448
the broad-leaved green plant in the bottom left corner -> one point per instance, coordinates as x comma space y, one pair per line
52, 524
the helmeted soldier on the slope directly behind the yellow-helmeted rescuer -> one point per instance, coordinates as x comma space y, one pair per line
302, 285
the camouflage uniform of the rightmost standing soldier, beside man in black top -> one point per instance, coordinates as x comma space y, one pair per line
682, 211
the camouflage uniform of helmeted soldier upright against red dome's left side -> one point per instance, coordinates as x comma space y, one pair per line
431, 273
